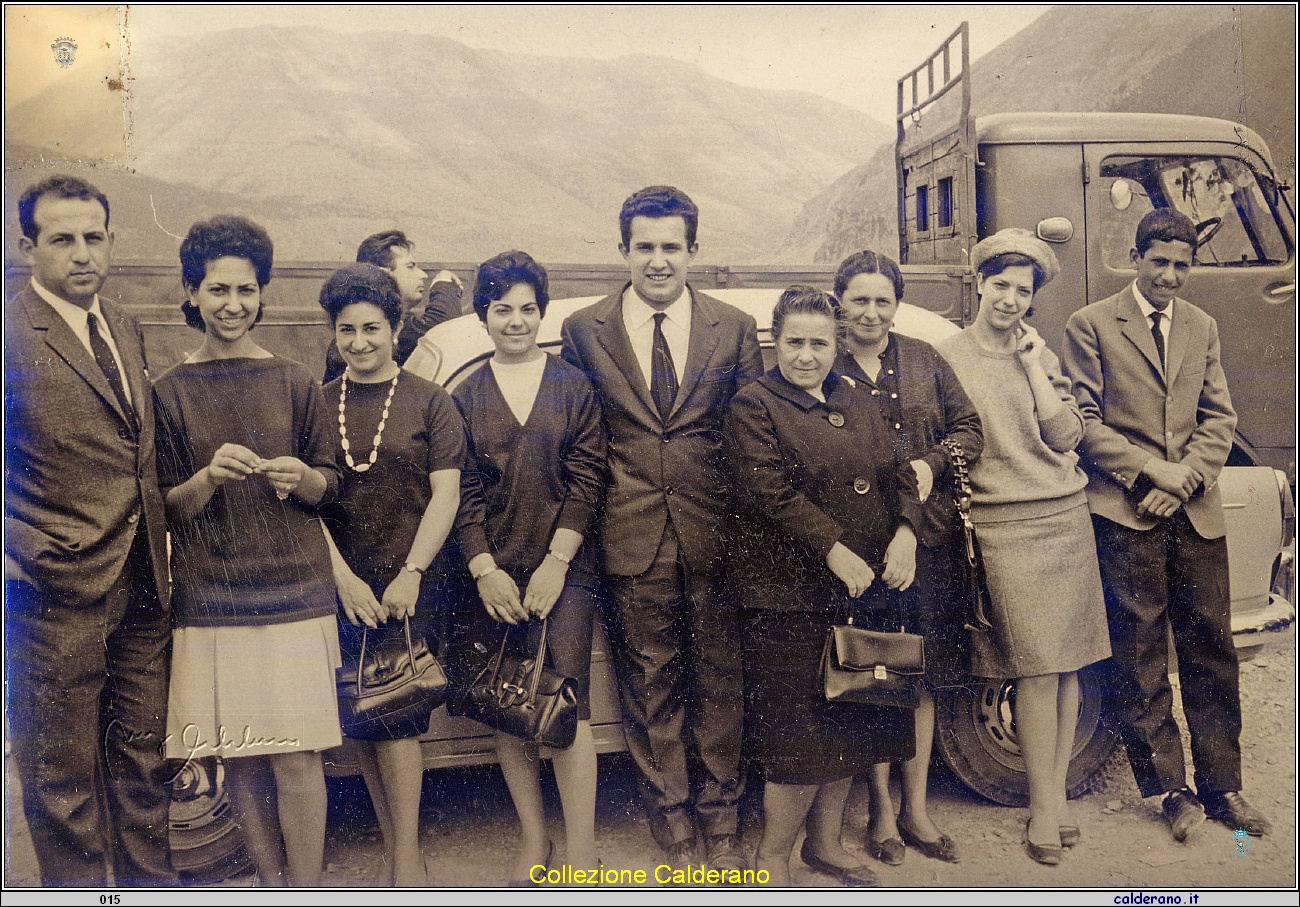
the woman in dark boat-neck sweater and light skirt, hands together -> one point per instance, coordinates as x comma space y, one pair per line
246, 455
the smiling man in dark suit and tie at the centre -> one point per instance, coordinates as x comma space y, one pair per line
666, 361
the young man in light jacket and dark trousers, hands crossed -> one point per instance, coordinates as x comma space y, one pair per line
1158, 431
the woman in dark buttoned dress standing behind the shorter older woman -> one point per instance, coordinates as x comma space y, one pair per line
924, 405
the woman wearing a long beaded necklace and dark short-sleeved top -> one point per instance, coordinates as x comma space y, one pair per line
401, 450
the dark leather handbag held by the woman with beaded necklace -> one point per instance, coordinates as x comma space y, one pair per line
392, 689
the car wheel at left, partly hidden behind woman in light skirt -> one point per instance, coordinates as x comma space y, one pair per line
206, 841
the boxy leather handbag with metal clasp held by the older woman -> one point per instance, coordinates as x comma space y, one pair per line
872, 667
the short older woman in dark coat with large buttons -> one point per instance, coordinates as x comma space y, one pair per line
826, 517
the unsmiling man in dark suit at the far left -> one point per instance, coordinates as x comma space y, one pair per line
86, 585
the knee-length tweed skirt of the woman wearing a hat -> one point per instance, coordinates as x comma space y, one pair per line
1048, 611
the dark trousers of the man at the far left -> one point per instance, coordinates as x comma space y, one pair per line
88, 714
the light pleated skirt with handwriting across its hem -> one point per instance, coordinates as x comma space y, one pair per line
254, 691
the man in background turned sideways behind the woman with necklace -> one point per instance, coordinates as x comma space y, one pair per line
392, 251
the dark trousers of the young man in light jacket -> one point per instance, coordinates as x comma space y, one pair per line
1169, 578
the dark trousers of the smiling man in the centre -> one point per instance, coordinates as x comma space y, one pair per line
677, 648
